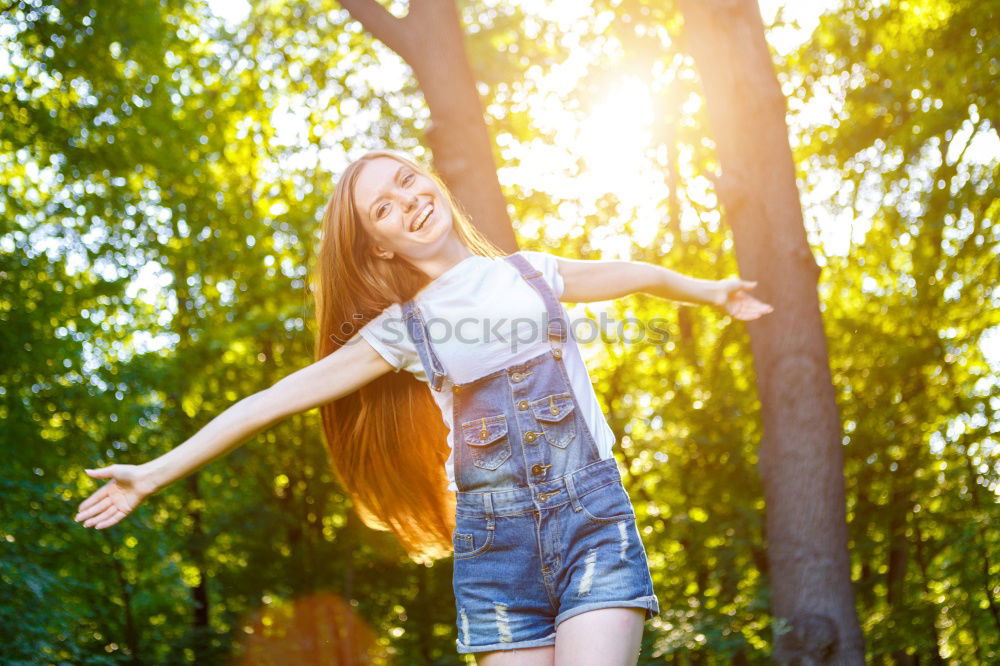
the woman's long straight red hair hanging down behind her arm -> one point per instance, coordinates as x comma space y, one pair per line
387, 441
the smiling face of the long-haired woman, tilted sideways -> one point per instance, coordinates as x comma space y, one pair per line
402, 209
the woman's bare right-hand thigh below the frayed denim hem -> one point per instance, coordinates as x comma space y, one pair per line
602, 637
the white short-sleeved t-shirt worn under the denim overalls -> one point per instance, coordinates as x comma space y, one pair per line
481, 316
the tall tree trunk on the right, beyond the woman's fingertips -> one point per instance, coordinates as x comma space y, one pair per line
801, 461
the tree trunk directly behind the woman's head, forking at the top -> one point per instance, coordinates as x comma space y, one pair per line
430, 39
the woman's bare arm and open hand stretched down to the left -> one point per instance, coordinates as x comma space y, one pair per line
338, 374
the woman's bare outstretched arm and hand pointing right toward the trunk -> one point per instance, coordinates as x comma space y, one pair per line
585, 281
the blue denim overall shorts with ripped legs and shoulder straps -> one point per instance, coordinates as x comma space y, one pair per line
544, 528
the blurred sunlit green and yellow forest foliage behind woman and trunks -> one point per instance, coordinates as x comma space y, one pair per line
163, 165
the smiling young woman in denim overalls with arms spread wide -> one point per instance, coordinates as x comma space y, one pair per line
506, 460
